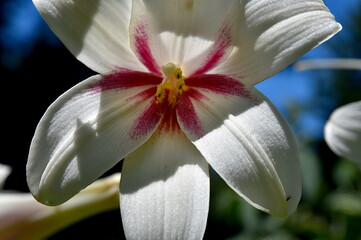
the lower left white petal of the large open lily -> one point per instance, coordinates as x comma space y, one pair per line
85, 132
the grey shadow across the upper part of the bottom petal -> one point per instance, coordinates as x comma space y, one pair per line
159, 160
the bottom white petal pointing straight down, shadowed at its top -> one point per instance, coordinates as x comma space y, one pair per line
165, 190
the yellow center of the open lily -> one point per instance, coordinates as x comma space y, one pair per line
172, 85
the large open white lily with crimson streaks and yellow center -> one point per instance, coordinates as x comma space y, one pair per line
175, 93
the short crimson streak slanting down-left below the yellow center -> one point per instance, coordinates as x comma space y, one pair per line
147, 121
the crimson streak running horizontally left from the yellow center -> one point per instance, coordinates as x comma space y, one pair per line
125, 79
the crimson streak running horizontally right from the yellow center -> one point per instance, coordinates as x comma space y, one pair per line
217, 83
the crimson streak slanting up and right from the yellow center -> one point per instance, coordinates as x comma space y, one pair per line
219, 49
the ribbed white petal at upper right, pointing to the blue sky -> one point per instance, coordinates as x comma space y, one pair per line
275, 33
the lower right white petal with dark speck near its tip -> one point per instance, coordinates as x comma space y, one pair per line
250, 145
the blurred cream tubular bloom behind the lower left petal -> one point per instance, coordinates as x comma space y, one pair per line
22, 217
